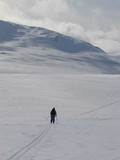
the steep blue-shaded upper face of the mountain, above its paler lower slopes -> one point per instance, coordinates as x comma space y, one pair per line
35, 36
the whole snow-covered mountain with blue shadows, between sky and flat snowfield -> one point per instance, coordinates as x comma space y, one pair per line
39, 47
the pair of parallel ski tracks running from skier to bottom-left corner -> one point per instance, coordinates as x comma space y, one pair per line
20, 153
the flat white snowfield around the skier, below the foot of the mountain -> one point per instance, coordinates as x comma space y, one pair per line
88, 124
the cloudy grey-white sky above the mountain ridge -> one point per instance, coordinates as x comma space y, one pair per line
95, 21
